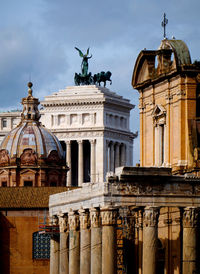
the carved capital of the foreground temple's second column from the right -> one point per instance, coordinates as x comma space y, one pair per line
150, 216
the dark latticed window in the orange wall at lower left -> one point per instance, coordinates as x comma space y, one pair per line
41, 246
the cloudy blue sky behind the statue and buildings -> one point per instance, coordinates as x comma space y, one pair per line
37, 40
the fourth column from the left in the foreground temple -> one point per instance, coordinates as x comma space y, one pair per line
85, 243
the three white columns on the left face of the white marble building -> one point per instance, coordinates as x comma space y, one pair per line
81, 162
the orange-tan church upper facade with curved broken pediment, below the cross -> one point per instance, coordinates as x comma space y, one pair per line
169, 107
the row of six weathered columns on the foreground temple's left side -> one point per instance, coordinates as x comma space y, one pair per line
91, 247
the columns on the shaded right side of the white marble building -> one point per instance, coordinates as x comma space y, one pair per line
116, 155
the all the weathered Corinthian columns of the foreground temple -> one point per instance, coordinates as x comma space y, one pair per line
91, 245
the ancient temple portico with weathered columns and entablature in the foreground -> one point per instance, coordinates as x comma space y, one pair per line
153, 213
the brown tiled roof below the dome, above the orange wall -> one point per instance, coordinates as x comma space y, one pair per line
27, 197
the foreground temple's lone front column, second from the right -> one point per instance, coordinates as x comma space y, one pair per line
150, 236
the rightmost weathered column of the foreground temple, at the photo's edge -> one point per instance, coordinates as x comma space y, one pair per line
190, 221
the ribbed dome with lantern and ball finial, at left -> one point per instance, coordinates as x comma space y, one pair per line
30, 142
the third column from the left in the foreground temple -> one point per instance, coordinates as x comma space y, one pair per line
74, 243
